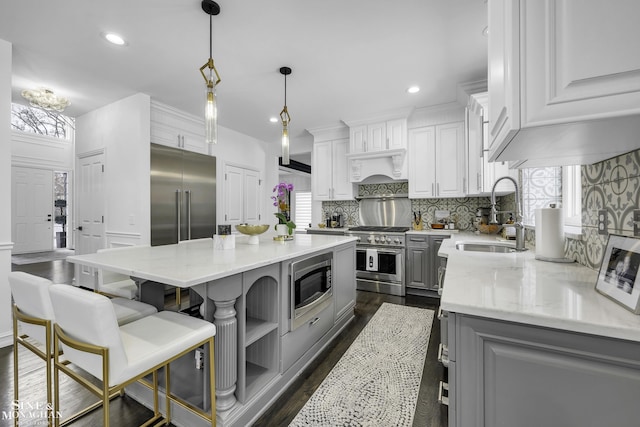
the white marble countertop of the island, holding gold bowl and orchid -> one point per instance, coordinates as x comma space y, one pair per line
190, 263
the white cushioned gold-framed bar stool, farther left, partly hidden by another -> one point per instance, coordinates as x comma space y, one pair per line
33, 319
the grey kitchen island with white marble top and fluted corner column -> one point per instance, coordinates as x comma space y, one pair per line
246, 292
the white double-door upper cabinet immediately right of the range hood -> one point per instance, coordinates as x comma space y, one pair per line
437, 161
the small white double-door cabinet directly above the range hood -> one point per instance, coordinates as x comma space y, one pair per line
378, 136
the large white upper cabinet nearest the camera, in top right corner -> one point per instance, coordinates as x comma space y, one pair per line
563, 75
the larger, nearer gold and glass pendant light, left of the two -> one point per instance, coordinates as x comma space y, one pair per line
212, 78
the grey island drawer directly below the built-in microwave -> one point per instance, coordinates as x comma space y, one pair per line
297, 342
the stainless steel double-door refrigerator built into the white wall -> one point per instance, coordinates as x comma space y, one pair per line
183, 195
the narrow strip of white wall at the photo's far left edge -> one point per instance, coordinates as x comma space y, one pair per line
6, 338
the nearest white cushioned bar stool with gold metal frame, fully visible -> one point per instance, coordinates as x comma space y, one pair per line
87, 331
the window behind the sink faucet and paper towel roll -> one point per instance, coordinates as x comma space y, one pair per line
561, 186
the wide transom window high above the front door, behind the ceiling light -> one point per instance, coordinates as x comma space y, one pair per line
41, 122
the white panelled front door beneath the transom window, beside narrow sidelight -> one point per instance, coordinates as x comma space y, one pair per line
31, 210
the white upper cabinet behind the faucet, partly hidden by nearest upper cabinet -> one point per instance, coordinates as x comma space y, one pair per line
482, 173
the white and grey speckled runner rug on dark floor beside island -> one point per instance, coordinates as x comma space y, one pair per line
376, 382
